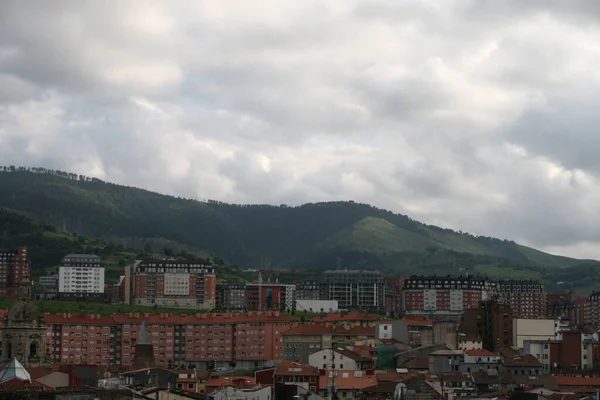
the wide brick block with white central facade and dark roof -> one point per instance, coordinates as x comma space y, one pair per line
172, 283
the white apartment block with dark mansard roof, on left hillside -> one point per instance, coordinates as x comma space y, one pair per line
81, 277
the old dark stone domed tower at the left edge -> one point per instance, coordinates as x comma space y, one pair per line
23, 334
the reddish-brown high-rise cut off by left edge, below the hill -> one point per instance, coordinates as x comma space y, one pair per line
14, 265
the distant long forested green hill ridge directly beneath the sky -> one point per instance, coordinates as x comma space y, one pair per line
310, 236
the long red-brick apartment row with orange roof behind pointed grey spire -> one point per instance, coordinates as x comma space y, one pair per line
250, 340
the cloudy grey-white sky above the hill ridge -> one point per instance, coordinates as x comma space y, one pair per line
480, 116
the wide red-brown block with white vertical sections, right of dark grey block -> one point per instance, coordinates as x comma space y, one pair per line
444, 296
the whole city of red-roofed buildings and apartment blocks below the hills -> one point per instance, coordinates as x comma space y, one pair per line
354, 334
